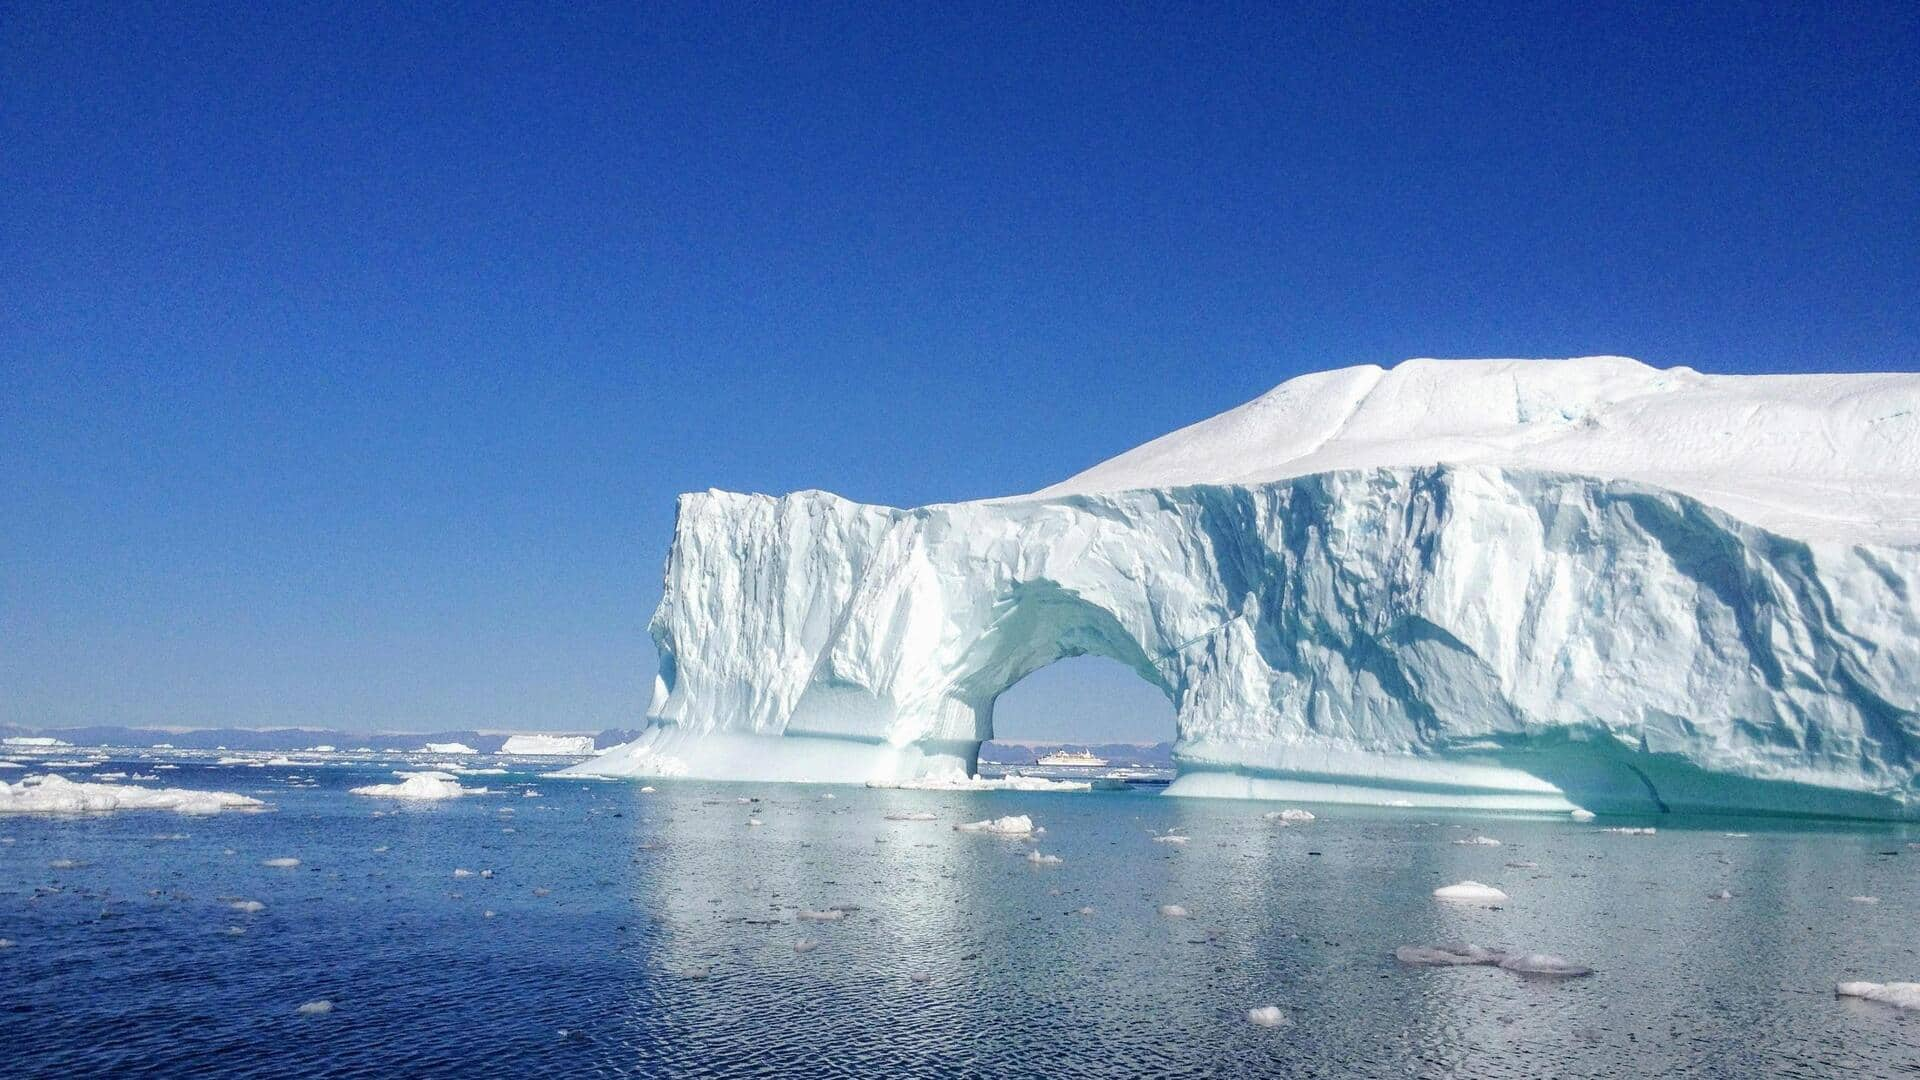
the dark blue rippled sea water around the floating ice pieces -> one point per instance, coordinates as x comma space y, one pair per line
654, 935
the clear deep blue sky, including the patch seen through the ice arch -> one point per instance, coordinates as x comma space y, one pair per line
350, 362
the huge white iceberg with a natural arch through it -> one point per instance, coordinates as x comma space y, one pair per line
1512, 585
